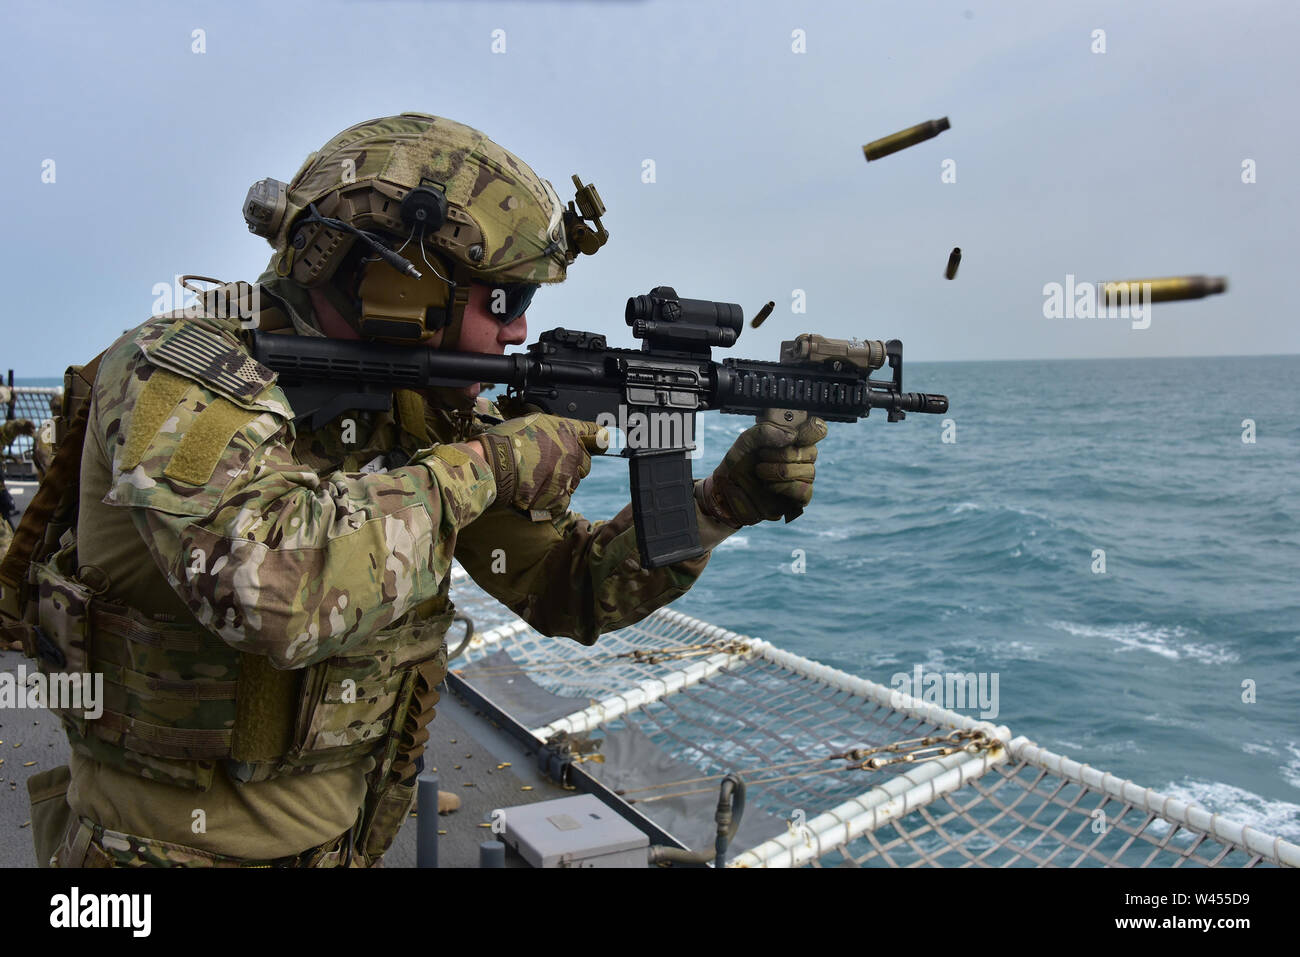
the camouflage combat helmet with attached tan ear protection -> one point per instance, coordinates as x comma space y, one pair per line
454, 206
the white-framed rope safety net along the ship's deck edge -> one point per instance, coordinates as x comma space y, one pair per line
839, 770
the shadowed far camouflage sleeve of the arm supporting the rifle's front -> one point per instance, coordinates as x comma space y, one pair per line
570, 577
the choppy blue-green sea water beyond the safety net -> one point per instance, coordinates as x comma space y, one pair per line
978, 556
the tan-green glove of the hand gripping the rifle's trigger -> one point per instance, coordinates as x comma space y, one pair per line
539, 460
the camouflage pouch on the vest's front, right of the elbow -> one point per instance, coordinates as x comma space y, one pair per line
350, 701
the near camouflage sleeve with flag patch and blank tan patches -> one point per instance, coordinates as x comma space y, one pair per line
270, 556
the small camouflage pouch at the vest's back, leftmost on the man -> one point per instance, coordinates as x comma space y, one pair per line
63, 636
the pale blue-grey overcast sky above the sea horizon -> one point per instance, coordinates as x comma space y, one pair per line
1112, 164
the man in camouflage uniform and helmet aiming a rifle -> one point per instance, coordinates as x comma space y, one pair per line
268, 604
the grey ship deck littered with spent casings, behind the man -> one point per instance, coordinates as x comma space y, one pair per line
458, 737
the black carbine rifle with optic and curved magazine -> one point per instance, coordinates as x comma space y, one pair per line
577, 375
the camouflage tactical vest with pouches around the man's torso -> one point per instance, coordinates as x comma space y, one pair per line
179, 701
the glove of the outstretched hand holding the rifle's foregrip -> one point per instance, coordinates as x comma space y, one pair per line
768, 474
